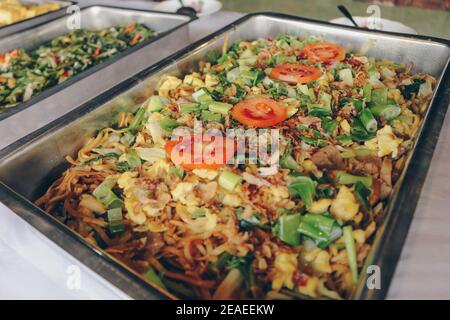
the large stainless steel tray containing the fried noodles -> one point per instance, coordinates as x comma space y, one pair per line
28, 166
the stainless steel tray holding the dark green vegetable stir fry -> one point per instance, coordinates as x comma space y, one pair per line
93, 17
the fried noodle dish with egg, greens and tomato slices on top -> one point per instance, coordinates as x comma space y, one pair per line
298, 228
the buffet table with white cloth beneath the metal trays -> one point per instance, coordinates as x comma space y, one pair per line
35, 268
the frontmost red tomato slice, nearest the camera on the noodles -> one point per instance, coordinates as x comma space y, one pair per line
197, 151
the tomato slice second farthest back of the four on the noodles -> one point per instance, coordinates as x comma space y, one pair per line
295, 73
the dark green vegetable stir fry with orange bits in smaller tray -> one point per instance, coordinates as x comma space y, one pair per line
26, 73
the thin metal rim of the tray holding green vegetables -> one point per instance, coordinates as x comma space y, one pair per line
54, 89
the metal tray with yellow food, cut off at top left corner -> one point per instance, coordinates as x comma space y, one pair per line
23, 24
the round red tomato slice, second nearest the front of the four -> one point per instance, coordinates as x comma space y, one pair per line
259, 112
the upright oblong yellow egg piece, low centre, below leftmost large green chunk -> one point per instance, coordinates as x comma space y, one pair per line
285, 266
